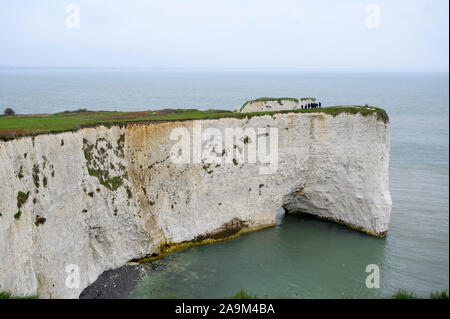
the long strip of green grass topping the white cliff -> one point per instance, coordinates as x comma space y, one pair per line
30, 125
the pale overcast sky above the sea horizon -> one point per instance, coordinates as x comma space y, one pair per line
353, 35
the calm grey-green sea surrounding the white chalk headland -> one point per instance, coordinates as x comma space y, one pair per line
301, 257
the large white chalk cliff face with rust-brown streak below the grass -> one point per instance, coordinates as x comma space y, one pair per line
100, 197
